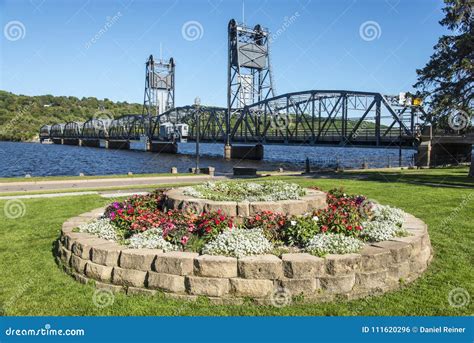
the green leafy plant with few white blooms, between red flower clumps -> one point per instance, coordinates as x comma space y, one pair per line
299, 230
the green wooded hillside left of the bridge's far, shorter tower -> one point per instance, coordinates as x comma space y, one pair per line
21, 116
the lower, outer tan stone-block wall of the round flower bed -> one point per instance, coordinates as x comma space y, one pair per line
378, 268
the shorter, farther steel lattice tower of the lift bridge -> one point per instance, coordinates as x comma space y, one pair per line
159, 87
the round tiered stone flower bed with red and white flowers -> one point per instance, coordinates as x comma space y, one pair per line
343, 246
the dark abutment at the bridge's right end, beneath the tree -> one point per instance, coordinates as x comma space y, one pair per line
433, 153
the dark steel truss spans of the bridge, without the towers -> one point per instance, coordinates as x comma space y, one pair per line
315, 117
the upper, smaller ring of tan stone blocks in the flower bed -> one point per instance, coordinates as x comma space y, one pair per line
313, 200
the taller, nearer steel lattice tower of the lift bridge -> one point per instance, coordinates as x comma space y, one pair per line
249, 77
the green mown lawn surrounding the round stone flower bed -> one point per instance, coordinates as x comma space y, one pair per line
32, 284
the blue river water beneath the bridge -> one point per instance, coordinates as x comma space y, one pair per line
18, 159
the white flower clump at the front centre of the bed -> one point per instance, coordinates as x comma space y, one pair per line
239, 243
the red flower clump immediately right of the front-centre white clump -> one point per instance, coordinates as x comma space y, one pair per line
272, 224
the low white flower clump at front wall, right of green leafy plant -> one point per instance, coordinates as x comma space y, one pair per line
323, 244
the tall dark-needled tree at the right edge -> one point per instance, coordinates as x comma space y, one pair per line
447, 80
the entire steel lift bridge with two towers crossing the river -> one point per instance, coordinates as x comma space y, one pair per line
254, 115
